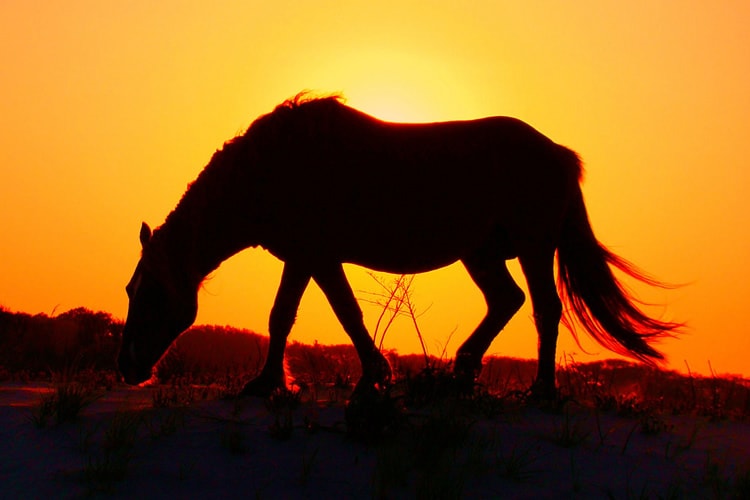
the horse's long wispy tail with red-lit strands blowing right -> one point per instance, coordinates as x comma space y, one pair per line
592, 294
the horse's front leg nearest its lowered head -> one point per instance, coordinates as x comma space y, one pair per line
294, 280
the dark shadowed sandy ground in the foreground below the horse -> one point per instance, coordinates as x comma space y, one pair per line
220, 450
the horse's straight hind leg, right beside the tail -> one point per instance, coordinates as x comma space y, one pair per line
539, 271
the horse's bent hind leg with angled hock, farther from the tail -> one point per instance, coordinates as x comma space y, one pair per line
503, 297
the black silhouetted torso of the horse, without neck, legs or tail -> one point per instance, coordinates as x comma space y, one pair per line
413, 196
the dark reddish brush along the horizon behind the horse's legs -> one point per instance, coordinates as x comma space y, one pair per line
81, 344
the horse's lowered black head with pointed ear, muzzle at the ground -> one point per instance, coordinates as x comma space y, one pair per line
163, 303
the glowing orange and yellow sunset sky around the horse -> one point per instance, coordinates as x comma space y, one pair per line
108, 110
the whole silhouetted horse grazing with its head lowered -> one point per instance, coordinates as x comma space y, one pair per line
317, 184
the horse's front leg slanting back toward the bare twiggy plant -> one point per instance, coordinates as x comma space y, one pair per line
376, 372
